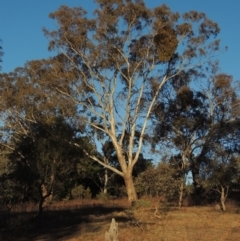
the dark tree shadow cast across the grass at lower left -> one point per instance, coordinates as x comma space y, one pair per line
58, 224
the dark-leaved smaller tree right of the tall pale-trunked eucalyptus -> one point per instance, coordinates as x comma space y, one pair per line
200, 124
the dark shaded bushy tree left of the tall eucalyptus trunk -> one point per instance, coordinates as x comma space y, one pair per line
45, 160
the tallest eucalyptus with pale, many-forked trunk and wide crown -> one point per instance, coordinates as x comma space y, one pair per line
113, 67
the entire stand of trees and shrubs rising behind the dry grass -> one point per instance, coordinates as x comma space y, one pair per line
130, 80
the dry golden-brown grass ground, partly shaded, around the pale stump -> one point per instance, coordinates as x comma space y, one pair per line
89, 220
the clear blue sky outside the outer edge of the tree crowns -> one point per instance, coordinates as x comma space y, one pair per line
21, 23
